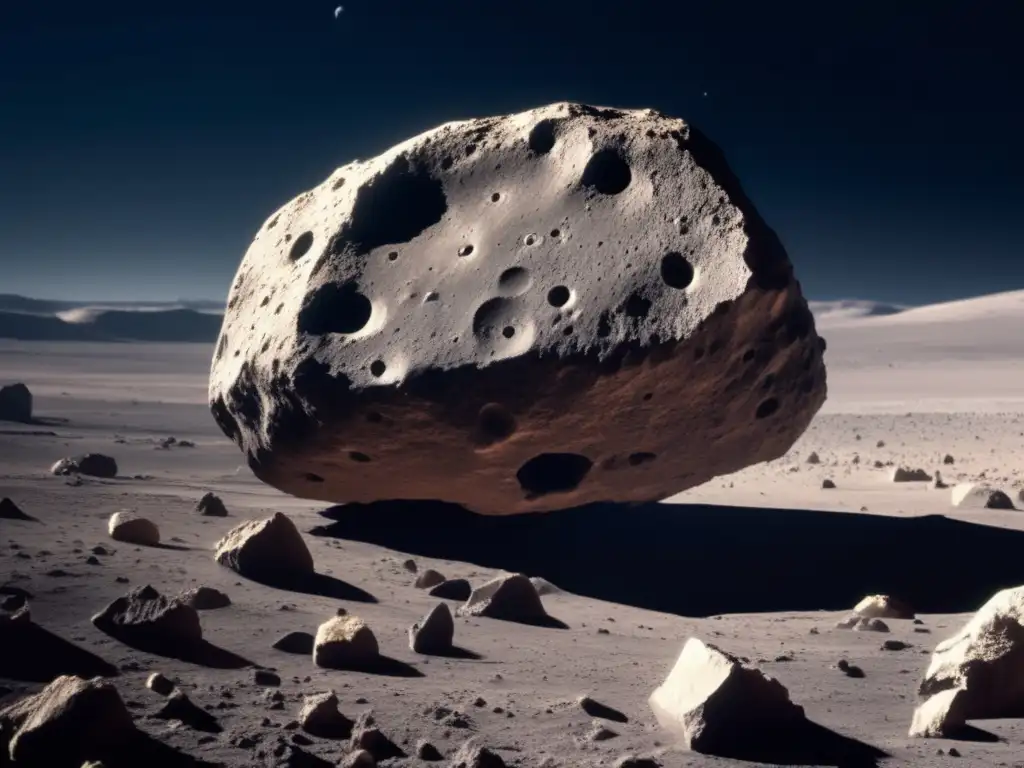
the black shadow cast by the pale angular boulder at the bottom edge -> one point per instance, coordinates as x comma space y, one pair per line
806, 744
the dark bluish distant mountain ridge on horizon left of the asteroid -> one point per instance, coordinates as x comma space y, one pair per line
44, 320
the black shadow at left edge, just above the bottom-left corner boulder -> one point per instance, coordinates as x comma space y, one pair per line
36, 656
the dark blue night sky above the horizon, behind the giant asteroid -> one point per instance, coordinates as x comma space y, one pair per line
143, 144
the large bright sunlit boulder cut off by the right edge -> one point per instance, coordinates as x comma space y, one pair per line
977, 674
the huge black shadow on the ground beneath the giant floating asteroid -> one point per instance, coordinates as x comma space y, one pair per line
745, 560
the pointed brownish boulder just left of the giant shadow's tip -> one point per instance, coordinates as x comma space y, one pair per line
270, 548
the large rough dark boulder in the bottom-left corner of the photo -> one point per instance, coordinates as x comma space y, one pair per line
69, 722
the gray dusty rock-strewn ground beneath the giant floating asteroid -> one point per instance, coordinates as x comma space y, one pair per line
762, 579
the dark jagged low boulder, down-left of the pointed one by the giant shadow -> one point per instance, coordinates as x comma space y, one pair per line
147, 619
